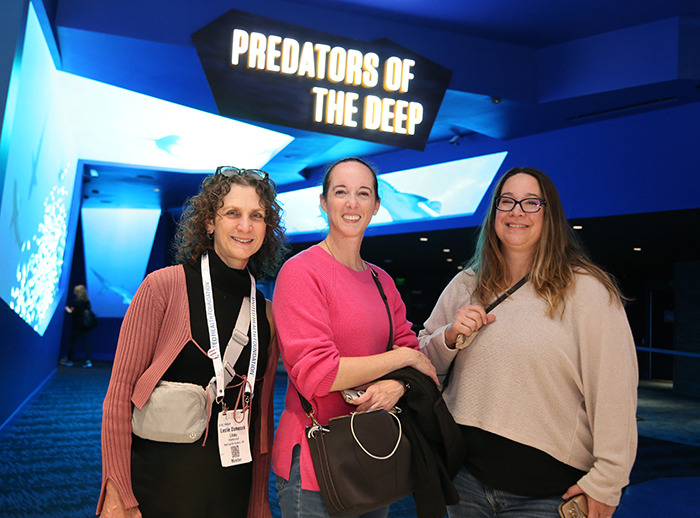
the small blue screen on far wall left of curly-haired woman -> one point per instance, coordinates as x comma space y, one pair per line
117, 244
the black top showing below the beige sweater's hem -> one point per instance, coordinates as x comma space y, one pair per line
514, 467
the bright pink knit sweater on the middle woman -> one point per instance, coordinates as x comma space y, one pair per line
324, 310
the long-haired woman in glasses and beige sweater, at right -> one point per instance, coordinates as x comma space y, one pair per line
544, 387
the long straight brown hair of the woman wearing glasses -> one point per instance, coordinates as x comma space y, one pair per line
558, 257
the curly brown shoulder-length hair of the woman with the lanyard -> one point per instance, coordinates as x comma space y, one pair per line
191, 239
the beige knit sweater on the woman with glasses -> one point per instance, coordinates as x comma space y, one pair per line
567, 386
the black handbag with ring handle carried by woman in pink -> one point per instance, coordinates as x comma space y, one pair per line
363, 460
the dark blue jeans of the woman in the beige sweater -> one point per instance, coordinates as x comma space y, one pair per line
479, 501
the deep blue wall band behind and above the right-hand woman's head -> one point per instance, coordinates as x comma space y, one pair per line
640, 163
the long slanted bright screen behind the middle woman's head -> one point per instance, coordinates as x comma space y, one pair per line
431, 194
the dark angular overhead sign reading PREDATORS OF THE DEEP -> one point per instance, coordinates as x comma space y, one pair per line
269, 71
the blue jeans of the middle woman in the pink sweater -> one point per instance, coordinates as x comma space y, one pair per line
296, 502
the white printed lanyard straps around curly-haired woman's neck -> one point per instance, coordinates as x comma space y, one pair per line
214, 351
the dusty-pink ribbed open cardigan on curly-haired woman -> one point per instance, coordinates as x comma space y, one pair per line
155, 329
